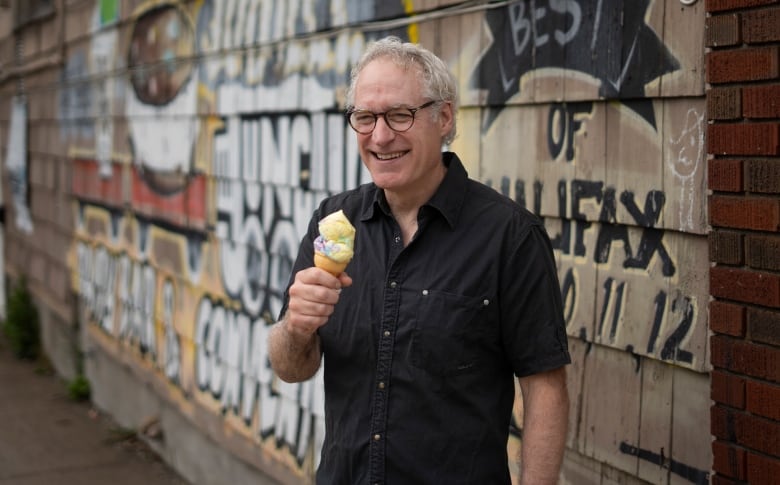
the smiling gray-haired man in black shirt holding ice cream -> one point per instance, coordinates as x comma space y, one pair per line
455, 290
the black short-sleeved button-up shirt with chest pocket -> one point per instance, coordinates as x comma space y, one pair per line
420, 353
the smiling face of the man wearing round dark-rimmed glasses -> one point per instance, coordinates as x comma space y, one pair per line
406, 162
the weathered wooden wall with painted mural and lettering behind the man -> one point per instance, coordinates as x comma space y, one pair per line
203, 161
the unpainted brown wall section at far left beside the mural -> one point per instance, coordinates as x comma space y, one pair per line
38, 224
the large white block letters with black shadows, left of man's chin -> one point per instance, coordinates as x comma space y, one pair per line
267, 192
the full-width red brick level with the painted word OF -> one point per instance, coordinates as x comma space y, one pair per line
743, 139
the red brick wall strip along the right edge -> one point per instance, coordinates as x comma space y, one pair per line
743, 105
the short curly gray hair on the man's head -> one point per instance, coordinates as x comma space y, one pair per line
438, 82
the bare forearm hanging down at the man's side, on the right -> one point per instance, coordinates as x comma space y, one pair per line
545, 423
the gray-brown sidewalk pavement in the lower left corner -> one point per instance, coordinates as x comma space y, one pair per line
48, 439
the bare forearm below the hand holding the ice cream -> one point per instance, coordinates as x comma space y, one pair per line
294, 357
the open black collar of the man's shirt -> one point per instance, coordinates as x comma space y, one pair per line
447, 200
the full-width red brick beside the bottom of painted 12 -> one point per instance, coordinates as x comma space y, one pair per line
754, 360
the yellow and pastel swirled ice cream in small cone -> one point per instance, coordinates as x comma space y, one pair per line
334, 247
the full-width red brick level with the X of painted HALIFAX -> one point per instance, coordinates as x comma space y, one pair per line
757, 213
